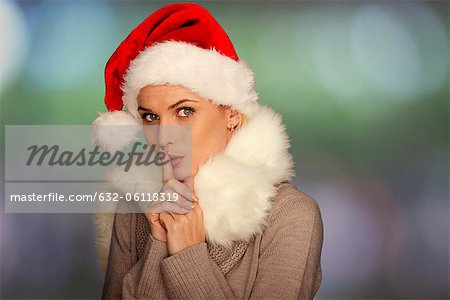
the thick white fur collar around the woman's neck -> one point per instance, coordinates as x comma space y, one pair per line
234, 188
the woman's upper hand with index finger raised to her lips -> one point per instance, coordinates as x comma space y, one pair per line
181, 206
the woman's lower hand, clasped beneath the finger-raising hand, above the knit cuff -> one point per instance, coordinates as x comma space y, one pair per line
183, 231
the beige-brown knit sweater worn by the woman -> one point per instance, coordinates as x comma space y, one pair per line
281, 263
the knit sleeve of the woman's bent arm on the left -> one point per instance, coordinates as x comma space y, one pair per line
123, 279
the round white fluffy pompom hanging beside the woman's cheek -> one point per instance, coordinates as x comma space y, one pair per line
113, 131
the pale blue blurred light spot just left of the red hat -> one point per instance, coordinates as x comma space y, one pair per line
68, 44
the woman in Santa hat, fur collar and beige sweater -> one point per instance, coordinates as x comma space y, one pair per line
241, 228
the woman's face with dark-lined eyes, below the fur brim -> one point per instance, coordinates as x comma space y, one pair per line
188, 125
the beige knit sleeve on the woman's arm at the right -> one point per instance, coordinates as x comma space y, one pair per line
289, 263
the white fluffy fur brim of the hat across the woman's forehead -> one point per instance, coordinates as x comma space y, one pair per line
206, 72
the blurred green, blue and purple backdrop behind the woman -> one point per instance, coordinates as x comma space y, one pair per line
362, 87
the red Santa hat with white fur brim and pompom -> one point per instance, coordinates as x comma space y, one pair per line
179, 44
